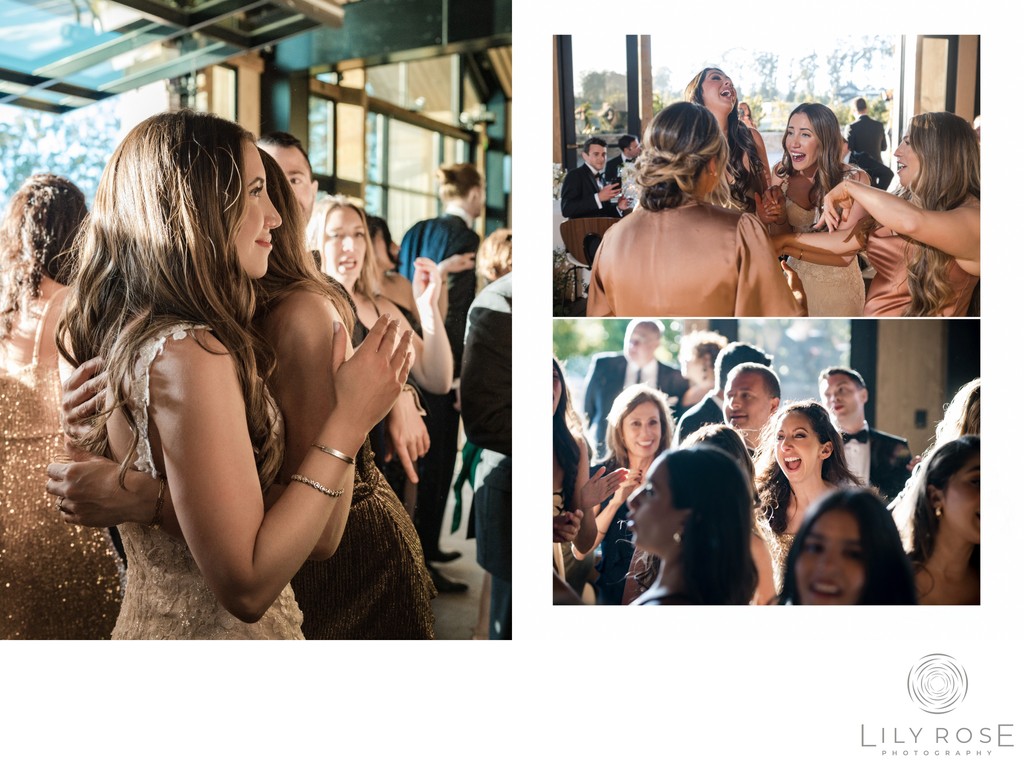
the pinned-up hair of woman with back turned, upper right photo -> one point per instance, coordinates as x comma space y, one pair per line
679, 144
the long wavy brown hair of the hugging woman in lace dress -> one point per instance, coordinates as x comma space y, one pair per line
160, 250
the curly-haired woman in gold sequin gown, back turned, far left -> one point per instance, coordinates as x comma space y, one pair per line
59, 582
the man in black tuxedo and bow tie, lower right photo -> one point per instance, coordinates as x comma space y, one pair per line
875, 457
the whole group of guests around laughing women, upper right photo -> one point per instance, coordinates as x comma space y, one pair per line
718, 232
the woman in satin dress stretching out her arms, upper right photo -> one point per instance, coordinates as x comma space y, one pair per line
924, 240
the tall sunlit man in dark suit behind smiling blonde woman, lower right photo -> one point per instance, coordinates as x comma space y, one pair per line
611, 373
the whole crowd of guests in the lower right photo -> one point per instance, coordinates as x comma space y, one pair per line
750, 498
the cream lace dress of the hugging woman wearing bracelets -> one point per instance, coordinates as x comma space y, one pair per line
166, 595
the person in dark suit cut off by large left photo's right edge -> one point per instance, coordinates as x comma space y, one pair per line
487, 413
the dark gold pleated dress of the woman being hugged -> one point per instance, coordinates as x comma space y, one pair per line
376, 585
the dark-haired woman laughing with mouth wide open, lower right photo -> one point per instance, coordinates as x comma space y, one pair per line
800, 459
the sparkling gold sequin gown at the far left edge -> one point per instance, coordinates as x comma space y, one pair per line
57, 581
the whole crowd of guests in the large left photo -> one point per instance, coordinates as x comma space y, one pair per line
257, 385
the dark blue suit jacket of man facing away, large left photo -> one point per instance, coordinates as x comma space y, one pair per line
439, 239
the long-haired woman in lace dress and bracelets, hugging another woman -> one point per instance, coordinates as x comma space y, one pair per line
164, 292
